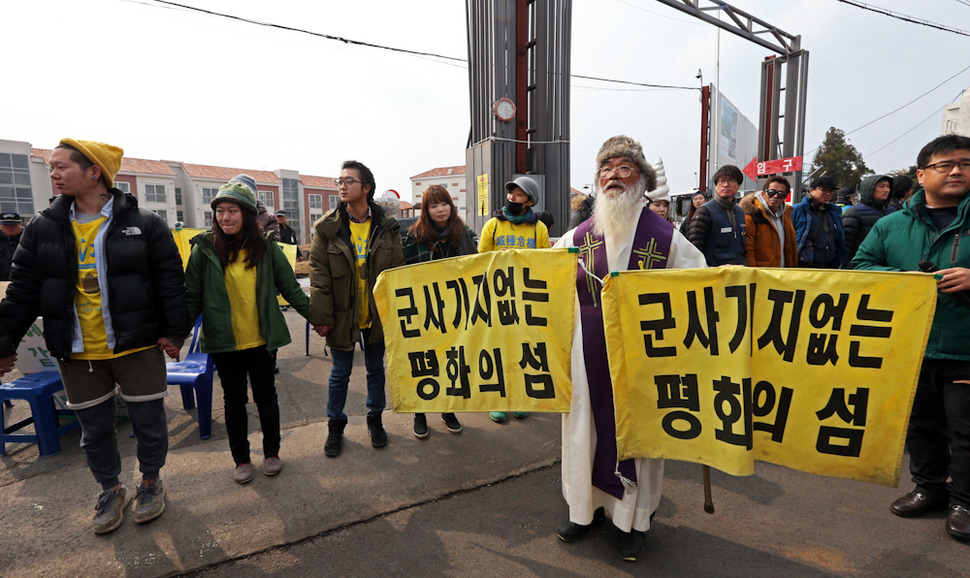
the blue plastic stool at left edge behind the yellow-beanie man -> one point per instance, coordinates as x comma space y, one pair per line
38, 389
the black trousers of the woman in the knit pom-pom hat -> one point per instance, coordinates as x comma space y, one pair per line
233, 367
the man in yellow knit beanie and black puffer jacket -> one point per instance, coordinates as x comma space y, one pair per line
120, 268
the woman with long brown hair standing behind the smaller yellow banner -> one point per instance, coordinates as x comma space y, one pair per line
438, 233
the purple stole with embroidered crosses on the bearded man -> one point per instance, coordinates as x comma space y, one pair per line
651, 247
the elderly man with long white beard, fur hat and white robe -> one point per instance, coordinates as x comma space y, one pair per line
623, 234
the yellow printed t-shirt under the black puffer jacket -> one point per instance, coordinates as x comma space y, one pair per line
87, 297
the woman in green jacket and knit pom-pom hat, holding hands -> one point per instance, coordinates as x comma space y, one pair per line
232, 277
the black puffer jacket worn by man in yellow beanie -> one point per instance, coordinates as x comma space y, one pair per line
146, 290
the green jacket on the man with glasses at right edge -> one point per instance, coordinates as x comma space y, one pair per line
898, 242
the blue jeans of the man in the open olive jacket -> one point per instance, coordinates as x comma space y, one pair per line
343, 364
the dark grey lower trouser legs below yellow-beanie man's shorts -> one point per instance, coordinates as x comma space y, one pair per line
99, 438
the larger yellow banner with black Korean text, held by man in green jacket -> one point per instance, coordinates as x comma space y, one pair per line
810, 370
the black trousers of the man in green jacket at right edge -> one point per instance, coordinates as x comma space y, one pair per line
939, 430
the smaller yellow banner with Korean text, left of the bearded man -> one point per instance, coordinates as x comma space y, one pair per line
487, 332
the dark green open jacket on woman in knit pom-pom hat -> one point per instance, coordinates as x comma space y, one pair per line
206, 287
